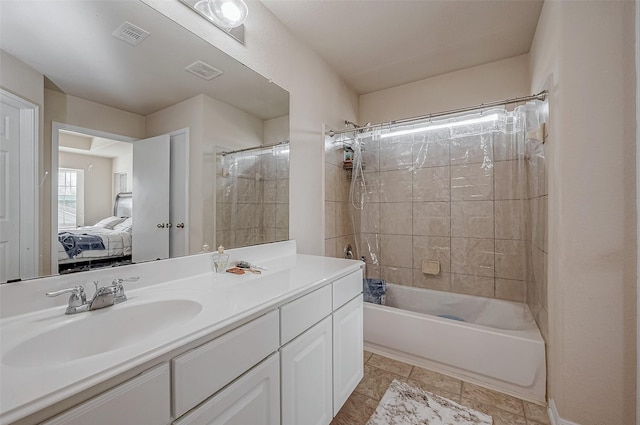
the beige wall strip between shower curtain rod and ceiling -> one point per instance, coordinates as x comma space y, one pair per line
494, 81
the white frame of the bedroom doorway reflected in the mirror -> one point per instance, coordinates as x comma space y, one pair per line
55, 145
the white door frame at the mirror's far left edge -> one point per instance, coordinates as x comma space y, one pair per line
29, 178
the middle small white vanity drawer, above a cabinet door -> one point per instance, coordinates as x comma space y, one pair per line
299, 315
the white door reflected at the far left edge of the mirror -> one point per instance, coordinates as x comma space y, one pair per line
9, 192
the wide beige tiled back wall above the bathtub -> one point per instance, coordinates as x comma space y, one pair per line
457, 201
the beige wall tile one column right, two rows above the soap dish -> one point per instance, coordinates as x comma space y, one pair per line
472, 182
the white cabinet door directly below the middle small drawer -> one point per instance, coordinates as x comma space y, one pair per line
306, 377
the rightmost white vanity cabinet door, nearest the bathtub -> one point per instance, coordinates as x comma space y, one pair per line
347, 351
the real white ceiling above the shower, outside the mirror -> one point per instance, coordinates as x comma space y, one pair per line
375, 45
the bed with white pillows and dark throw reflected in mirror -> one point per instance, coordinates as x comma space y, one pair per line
107, 243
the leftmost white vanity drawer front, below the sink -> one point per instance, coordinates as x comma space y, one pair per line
141, 400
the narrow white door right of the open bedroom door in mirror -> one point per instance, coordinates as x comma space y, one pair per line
179, 194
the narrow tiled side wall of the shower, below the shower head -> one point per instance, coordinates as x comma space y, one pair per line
339, 230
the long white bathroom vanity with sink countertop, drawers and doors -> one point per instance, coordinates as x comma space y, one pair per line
188, 346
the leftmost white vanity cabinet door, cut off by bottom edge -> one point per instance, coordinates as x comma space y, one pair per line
254, 399
